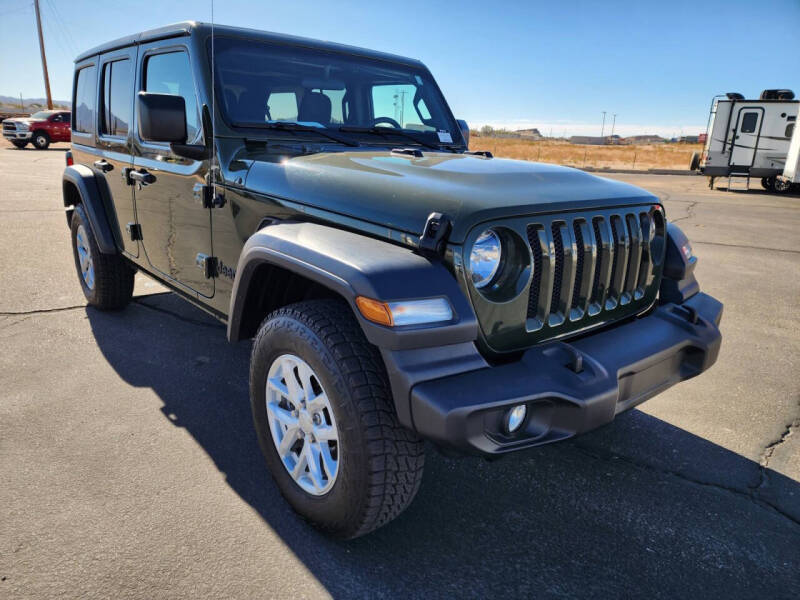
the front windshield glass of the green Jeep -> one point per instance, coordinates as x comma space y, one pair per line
260, 84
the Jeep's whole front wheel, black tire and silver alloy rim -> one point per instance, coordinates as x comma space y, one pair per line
326, 422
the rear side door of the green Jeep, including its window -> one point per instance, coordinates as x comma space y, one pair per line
114, 130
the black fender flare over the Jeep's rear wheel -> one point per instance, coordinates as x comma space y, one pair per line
96, 202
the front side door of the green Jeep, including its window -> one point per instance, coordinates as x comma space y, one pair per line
175, 228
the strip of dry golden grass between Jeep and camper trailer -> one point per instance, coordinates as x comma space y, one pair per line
649, 156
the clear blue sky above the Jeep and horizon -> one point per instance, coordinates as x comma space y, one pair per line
552, 65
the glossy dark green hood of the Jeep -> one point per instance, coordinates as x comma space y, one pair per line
399, 191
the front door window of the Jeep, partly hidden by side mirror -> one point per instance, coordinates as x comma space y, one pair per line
171, 73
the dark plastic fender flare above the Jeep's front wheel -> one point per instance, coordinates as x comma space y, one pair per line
352, 265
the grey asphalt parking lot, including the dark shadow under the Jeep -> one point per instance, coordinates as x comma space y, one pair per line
129, 467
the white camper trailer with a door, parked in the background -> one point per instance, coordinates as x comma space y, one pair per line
749, 138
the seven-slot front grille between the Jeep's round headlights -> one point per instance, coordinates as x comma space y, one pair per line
591, 268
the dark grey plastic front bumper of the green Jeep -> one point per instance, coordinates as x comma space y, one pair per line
621, 367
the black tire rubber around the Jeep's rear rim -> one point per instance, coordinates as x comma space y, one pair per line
113, 276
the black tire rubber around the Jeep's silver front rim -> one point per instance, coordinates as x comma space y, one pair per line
380, 461
